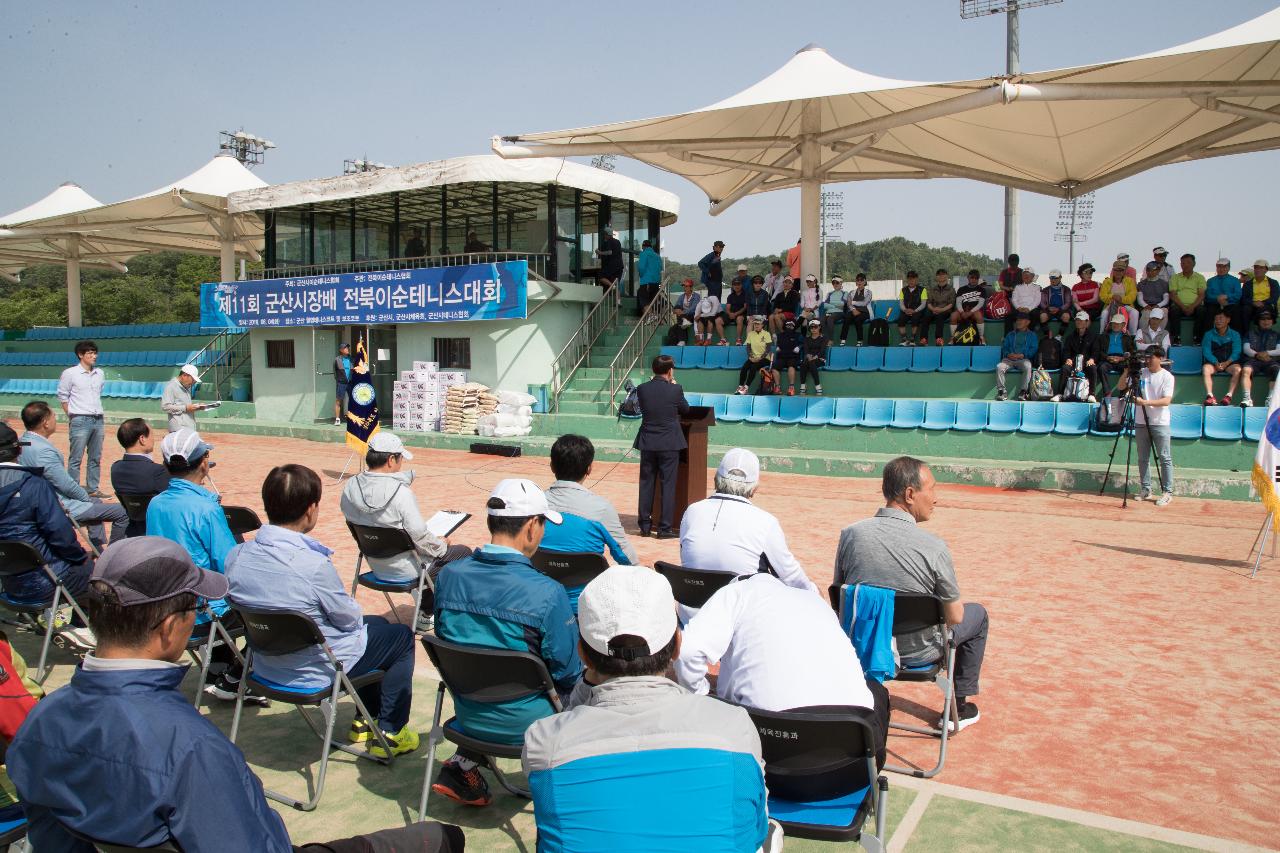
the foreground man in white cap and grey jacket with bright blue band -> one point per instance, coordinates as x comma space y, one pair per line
637, 756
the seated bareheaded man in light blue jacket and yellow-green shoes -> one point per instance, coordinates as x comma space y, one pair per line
286, 569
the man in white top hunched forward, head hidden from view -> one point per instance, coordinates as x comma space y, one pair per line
779, 649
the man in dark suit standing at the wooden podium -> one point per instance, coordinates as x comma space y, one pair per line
660, 443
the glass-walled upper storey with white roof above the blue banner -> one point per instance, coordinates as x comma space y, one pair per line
550, 212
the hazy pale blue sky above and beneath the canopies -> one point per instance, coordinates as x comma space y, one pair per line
126, 97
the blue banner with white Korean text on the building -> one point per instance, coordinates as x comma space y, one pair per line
429, 295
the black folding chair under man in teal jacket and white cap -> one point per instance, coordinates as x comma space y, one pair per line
491, 677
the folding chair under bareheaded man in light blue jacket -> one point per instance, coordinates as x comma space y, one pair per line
285, 632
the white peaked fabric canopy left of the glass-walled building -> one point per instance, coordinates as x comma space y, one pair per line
189, 216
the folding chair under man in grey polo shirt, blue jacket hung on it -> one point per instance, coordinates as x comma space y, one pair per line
915, 613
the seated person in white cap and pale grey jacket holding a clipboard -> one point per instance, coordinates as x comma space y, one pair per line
383, 498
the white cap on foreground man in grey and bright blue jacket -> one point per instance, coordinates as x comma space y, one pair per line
630, 601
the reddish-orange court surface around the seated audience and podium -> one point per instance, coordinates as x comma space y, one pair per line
1131, 665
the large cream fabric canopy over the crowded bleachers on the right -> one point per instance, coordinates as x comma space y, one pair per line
1059, 133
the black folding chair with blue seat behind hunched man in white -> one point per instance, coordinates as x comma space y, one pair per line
803, 752
